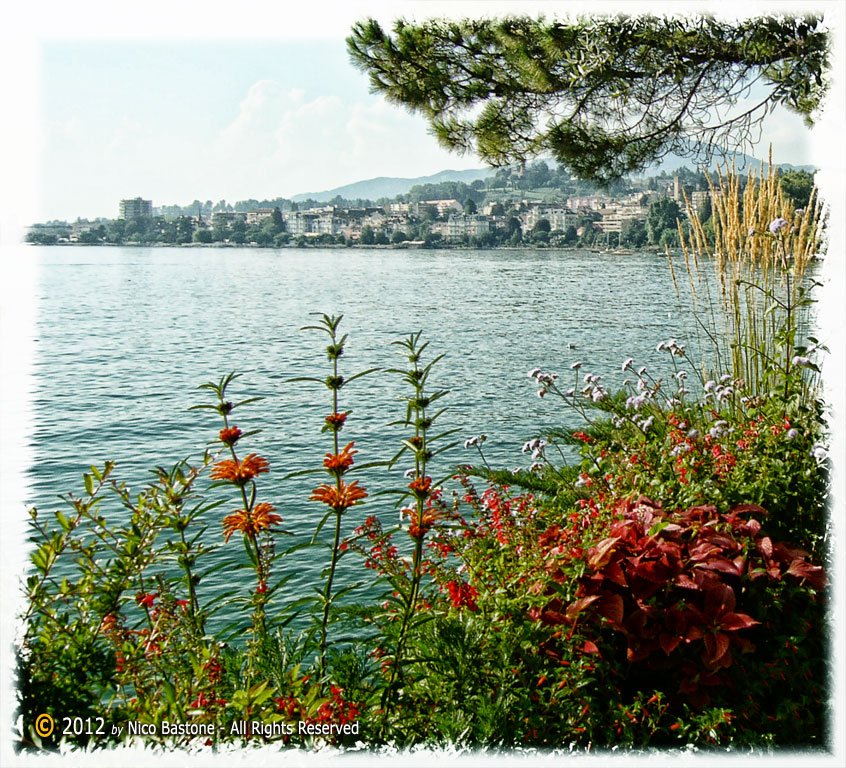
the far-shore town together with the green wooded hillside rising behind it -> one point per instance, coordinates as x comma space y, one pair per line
534, 205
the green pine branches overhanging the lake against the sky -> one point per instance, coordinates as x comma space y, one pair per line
604, 96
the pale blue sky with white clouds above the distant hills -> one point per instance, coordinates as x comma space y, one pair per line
202, 101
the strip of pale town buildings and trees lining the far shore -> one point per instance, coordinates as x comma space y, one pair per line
511, 218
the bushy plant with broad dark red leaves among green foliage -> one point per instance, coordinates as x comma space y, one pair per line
671, 583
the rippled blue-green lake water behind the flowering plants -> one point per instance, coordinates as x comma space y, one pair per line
125, 335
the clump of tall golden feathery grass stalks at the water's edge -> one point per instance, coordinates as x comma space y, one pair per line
748, 280
